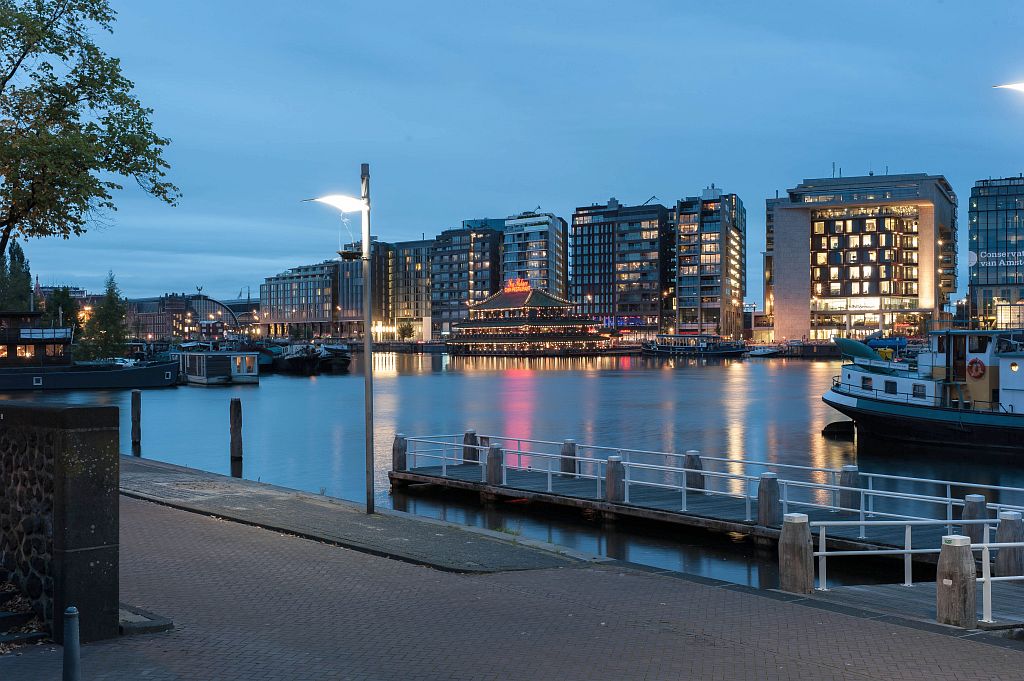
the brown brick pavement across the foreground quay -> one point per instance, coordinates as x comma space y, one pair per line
251, 604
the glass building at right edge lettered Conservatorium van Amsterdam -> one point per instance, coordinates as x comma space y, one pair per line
996, 251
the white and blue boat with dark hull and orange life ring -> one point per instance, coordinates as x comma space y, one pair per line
967, 389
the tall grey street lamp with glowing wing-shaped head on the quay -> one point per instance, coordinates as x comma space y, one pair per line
362, 206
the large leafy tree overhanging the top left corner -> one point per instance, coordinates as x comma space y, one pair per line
70, 123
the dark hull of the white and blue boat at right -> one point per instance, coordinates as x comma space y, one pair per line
934, 428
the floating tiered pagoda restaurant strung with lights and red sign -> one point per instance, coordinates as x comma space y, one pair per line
523, 321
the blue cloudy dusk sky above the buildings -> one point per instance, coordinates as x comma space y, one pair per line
468, 110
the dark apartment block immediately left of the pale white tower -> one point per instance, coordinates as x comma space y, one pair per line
465, 269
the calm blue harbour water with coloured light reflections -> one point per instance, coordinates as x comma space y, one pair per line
308, 434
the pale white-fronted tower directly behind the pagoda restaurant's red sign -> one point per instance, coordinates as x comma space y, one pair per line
535, 248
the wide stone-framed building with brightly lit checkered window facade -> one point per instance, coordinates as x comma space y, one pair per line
857, 256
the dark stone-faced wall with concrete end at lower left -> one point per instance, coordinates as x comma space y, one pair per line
59, 512
